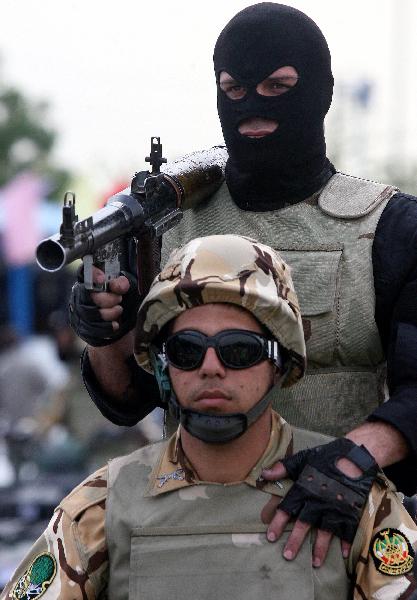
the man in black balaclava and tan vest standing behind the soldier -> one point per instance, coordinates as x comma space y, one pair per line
351, 244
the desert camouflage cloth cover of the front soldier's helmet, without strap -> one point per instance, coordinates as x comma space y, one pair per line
225, 268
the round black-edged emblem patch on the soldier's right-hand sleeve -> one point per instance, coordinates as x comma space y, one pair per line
392, 552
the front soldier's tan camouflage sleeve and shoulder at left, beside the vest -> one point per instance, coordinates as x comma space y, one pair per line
75, 539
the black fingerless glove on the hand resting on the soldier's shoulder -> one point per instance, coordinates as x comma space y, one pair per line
322, 495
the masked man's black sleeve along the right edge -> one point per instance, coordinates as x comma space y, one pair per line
395, 276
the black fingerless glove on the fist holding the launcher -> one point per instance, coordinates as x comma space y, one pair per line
84, 315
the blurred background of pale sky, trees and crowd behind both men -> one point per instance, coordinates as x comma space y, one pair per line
83, 87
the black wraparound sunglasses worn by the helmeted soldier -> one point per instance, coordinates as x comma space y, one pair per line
235, 348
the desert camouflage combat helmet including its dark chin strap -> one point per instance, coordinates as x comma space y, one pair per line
228, 269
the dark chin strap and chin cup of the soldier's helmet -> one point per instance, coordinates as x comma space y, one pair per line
213, 429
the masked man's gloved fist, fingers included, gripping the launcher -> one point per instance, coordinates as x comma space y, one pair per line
102, 318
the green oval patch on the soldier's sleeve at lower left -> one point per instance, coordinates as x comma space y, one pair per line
36, 579
